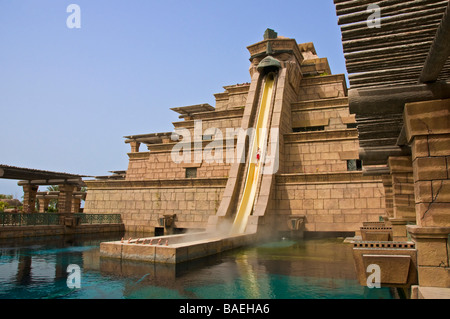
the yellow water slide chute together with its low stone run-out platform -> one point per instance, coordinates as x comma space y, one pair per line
207, 243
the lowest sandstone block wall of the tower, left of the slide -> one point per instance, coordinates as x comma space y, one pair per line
141, 207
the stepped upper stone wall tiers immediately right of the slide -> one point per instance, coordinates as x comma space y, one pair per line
329, 149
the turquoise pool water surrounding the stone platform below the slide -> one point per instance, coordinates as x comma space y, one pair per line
285, 269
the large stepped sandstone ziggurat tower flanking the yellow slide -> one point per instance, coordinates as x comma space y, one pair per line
319, 185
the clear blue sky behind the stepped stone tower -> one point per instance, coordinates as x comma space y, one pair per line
68, 96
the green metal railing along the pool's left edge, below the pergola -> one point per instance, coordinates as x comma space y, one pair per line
42, 219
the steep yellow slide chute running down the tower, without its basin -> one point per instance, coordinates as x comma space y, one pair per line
259, 141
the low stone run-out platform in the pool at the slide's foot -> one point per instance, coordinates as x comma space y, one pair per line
175, 248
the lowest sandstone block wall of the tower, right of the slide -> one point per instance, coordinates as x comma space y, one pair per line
337, 203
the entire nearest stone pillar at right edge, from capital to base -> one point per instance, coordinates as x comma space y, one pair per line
428, 132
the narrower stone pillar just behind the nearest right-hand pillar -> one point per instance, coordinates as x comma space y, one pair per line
402, 196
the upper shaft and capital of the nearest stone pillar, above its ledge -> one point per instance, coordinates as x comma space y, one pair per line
428, 129
